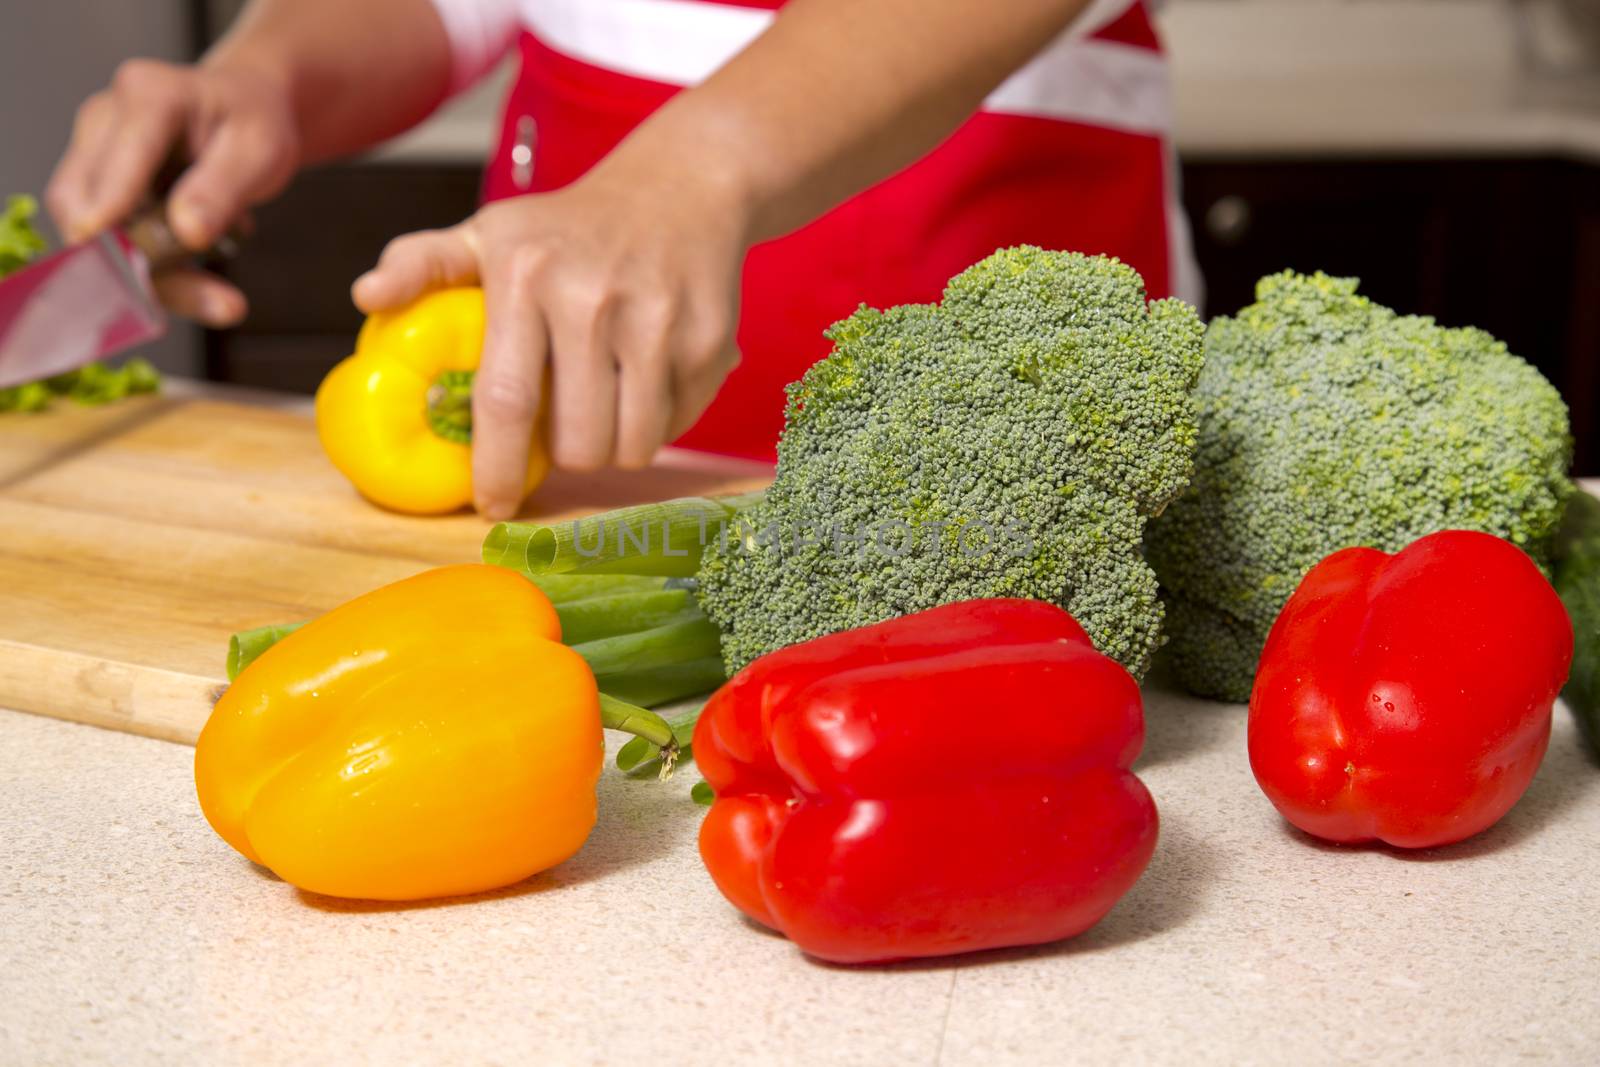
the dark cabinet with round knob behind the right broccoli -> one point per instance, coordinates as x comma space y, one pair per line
1508, 246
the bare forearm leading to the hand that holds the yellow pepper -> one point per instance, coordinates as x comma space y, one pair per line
841, 94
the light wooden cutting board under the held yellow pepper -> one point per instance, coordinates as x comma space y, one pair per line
138, 537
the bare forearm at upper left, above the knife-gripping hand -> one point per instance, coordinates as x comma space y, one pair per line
356, 71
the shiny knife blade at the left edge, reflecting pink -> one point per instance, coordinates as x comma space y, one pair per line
78, 306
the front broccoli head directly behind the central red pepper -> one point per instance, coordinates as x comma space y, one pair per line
1007, 442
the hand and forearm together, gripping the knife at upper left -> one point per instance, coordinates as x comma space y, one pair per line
292, 82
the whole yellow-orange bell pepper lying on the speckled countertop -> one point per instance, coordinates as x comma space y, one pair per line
431, 738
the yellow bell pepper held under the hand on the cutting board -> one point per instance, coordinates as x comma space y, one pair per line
396, 418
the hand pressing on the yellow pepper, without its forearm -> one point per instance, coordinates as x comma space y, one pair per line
612, 310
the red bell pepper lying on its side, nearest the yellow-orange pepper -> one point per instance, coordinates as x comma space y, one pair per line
942, 783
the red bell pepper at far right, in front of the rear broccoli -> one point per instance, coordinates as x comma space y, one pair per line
1407, 698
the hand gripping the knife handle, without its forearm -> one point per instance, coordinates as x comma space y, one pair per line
233, 126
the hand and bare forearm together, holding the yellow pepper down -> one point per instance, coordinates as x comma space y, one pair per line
612, 303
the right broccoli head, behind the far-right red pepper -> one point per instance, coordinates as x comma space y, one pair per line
1330, 422
